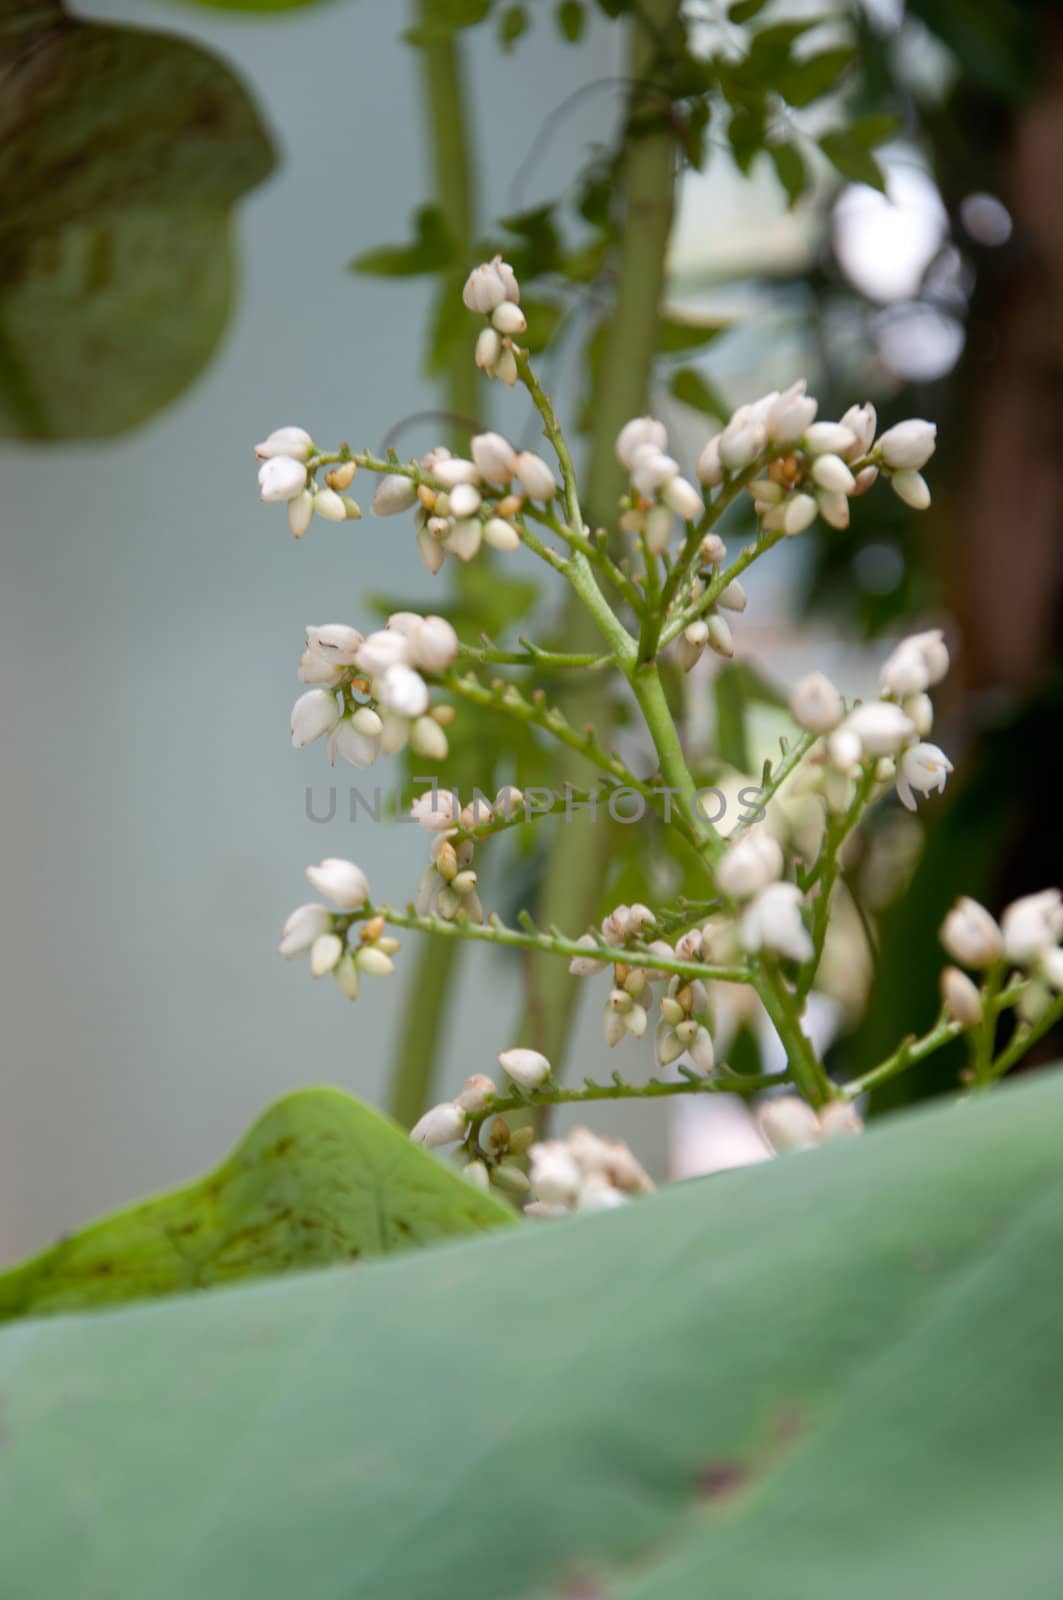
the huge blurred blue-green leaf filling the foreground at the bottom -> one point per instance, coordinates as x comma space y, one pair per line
830, 1377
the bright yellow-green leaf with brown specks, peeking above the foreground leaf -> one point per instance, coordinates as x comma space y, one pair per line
319, 1178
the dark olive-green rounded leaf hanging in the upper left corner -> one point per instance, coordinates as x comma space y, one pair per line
122, 154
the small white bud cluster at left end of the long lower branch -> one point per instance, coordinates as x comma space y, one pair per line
340, 945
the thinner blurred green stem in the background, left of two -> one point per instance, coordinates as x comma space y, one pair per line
435, 978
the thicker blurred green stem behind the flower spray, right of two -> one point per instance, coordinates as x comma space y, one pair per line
577, 865
